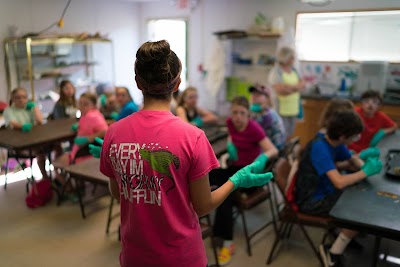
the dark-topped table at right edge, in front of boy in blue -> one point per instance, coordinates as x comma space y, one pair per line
373, 205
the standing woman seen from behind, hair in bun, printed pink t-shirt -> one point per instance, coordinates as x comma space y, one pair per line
158, 167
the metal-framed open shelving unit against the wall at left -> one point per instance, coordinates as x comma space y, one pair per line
39, 64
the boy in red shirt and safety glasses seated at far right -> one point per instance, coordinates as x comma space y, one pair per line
376, 123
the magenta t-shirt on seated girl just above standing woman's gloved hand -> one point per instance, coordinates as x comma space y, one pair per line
246, 142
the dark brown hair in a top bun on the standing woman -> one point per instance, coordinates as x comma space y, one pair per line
157, 69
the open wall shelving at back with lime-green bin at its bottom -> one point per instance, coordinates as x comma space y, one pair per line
248, 61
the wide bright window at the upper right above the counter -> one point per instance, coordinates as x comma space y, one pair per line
346, 36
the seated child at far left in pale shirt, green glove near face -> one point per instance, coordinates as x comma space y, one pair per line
22, 115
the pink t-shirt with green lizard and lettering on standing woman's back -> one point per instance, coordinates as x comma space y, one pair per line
154, 155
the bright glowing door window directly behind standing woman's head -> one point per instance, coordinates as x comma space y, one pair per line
175, 32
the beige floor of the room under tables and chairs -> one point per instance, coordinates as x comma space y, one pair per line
57, 236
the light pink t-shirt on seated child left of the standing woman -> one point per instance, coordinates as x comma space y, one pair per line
90, 123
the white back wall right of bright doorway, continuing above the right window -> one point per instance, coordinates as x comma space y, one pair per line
218, 15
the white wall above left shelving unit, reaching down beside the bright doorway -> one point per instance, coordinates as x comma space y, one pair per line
118, 19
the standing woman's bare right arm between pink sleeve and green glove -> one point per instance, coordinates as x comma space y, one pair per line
203, 200
